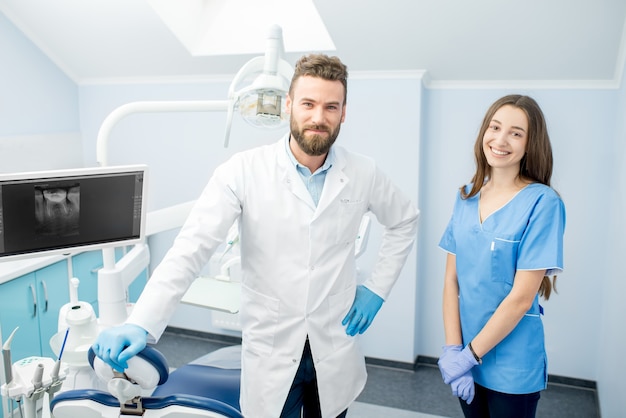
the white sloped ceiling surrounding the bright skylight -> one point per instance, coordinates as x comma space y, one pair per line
557, 42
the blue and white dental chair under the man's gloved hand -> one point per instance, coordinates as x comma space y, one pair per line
191, 391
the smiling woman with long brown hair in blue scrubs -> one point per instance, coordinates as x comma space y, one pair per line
505, 237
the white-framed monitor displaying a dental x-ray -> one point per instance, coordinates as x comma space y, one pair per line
67, 211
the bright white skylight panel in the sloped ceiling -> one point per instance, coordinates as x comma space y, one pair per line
232, 27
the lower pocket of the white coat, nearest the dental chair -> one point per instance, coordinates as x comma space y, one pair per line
259, 319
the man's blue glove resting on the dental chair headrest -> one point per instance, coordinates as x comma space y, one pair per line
116, 345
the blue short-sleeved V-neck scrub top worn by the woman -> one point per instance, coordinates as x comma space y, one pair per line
525, 234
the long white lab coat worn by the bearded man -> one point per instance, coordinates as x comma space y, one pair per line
298, 268
